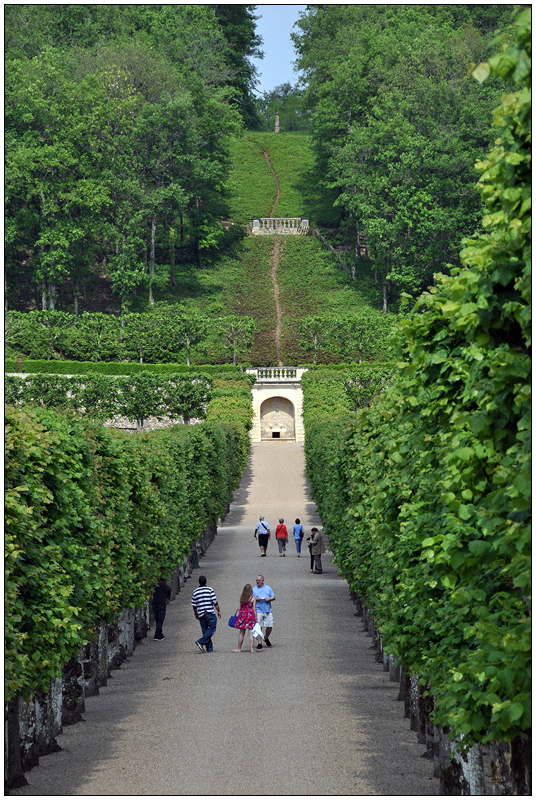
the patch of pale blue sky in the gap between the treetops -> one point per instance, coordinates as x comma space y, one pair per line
275, 27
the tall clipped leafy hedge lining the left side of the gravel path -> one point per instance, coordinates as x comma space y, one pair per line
94, 518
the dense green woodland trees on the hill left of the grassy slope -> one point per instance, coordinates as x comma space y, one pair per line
113, 137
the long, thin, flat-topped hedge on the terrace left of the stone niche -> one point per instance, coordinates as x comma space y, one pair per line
110, 368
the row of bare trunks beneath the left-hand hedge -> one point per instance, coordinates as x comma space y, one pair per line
31, 726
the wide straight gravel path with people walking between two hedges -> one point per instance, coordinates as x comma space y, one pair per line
313, 715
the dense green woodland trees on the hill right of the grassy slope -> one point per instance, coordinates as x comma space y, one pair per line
398, 125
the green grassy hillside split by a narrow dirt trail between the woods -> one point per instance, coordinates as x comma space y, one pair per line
236, 279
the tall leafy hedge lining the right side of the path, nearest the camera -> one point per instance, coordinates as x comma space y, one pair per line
426, 493
